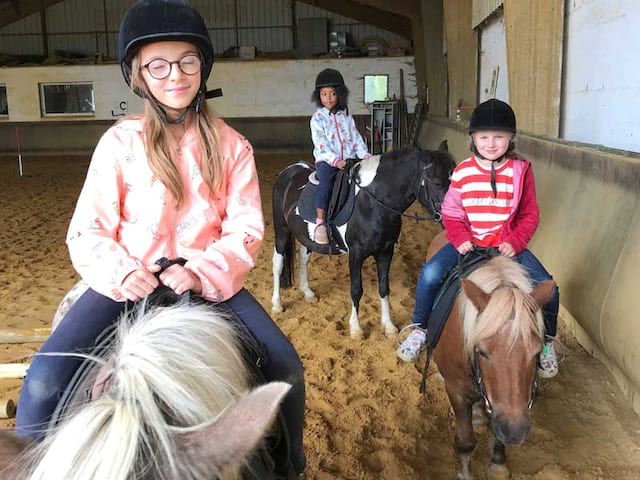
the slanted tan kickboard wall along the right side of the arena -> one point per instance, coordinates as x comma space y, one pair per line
589, 239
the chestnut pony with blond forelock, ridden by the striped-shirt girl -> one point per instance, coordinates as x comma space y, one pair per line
488, 352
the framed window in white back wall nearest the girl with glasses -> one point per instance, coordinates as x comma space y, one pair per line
61, 99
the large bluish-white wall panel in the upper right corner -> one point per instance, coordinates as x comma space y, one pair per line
601, 97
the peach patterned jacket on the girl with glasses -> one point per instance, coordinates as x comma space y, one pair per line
125, 218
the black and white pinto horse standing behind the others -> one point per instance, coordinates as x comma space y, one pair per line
386, 186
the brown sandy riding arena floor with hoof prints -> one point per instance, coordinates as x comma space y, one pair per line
365, 418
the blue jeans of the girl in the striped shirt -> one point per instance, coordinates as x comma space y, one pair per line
436, 269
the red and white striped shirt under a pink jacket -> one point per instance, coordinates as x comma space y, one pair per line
486, 214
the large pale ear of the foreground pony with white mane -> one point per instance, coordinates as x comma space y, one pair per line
236, 432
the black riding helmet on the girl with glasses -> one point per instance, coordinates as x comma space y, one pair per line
149, 21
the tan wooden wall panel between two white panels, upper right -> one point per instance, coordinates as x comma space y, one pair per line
534, 32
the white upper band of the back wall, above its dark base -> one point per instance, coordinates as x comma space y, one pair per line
268, 88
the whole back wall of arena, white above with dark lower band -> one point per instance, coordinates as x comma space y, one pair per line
268, 101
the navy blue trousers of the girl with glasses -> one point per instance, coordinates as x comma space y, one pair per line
48, 376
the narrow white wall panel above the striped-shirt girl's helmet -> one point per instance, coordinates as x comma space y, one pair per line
493, 53
